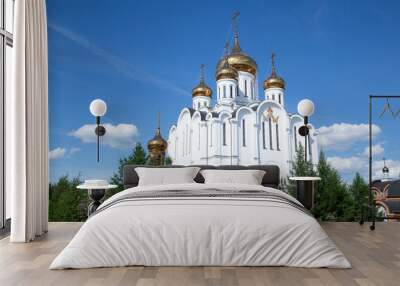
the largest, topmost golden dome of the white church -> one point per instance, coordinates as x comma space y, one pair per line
239, 60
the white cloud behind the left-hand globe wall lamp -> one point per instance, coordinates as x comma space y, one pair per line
119, 136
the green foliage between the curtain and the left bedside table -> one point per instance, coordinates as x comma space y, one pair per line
66, 203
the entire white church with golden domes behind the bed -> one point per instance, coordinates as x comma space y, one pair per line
242, 127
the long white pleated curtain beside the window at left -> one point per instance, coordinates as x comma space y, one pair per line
27, 122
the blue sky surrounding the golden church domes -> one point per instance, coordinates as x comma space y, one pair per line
143, 57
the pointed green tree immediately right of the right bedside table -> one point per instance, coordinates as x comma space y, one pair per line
333, 201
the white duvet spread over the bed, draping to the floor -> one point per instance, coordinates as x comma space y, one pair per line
200, 231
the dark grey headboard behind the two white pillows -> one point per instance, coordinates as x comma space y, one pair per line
270, 179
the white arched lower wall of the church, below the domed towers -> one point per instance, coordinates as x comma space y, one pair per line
246, 137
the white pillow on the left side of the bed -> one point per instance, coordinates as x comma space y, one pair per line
166, 176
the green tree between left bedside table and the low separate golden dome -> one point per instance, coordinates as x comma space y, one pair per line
137, 157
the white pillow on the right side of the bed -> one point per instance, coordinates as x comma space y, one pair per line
249, 177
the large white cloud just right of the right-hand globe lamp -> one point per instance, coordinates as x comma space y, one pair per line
342, 135
